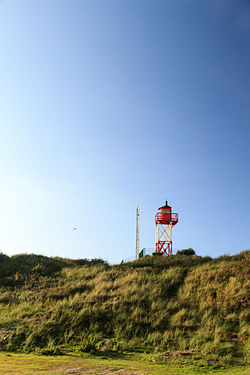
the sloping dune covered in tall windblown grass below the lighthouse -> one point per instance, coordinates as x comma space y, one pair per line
185, 303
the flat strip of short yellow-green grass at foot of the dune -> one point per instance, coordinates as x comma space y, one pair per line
134, 364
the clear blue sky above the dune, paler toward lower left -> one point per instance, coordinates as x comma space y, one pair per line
106, 103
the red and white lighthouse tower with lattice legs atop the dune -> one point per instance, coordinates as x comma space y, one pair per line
164, 222
